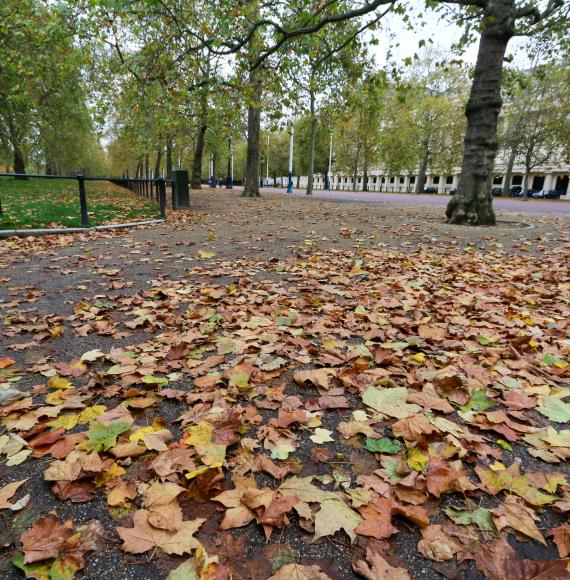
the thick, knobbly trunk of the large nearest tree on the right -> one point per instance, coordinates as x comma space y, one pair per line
473, 201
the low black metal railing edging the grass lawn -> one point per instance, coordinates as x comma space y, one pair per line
149, 188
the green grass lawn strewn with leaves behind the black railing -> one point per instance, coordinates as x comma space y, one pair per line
40, 203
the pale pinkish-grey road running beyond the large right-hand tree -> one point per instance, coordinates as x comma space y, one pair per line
512, 204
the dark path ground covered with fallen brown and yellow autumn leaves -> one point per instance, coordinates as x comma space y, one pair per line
289, 389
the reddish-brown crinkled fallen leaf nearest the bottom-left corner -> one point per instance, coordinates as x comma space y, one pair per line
45, 538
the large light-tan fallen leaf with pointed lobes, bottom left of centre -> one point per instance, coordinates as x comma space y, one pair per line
143, 537
